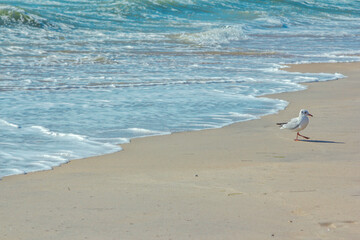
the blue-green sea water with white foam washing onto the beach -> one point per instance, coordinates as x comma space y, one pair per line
78, 77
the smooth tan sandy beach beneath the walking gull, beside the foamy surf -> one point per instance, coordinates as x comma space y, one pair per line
248, 180
